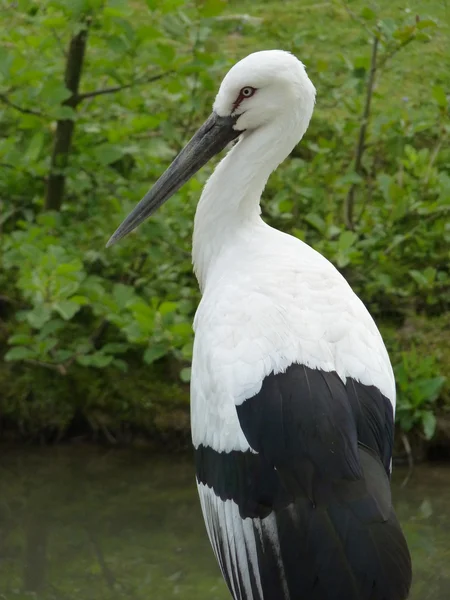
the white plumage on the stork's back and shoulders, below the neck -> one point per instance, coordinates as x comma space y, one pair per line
278, 304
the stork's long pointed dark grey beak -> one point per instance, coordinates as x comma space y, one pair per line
211, 138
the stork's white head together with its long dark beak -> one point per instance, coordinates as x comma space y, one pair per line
258, 90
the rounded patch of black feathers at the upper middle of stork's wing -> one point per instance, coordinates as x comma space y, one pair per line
303, 414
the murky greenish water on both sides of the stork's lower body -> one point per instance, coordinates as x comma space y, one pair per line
93, 524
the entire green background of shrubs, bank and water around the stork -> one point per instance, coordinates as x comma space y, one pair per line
96, 99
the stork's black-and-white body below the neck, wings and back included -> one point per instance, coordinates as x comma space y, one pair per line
292, 420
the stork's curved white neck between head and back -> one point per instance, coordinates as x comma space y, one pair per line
229, 209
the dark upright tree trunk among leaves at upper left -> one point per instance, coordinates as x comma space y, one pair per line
65, 127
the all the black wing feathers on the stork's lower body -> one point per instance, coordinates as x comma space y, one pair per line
321, 472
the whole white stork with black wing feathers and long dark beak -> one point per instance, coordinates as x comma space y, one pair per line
292, 389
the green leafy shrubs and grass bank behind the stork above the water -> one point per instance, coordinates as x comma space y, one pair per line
97, 97
